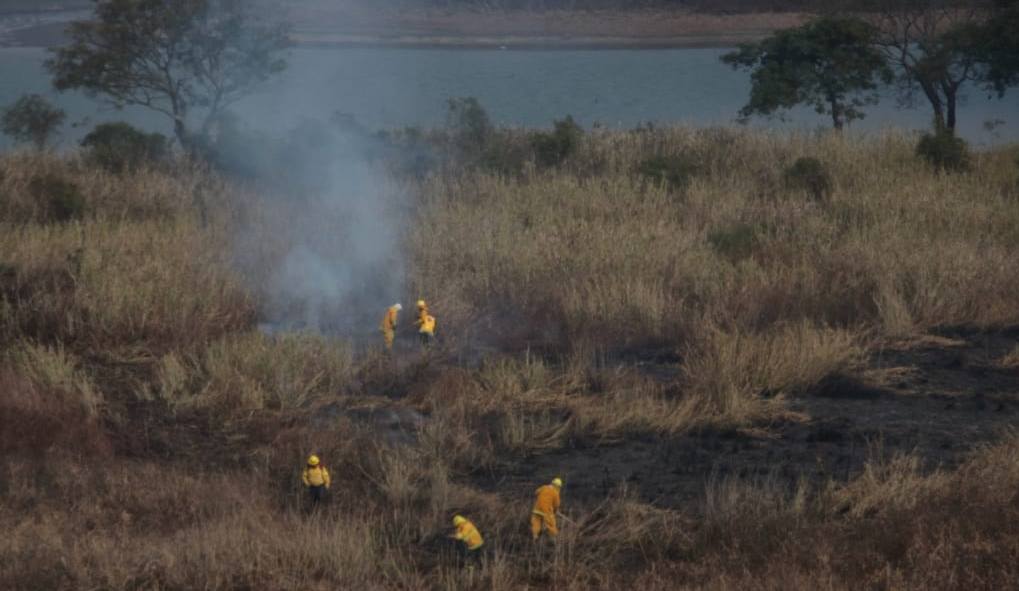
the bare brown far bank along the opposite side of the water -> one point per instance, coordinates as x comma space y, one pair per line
511, 31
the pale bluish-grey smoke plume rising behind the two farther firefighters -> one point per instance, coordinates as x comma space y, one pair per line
323, 250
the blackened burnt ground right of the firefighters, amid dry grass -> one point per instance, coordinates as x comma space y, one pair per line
950, 400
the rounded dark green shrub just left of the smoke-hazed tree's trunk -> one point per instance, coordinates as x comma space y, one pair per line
120, 147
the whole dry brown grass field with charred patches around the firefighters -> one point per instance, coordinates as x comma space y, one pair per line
744, 386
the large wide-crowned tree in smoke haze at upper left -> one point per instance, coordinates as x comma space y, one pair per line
173, 57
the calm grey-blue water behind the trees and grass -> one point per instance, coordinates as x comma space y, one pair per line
385, 88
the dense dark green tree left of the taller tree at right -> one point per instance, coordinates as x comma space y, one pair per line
828, 64
